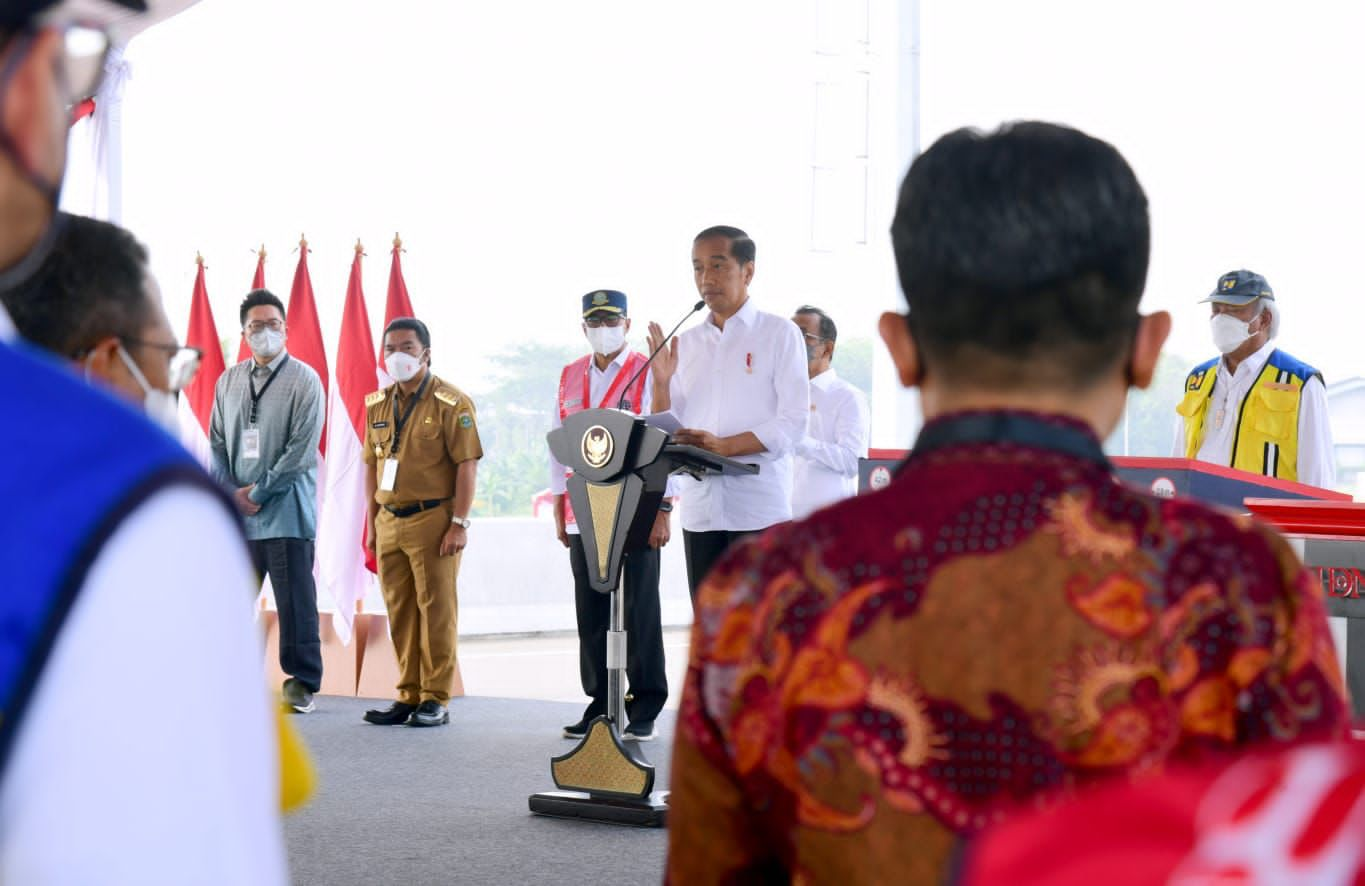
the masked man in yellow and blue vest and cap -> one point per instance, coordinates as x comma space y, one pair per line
1256, 408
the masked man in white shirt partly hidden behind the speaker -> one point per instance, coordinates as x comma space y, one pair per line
837, 436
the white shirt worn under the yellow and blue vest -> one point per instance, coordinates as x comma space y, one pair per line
1317, 461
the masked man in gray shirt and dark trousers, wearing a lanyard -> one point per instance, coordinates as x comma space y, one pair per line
267, 424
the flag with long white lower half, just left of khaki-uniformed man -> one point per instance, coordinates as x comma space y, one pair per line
342, 552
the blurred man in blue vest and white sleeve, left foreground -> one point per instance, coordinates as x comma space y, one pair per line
126, 571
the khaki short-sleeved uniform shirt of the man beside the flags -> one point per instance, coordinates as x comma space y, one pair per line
437, 436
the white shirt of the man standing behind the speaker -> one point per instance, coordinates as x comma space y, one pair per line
827, 458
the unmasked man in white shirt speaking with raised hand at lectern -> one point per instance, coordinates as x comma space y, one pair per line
738, 383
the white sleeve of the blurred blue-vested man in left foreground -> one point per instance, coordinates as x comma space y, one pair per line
148, 753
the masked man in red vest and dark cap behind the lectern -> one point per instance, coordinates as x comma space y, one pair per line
611, 377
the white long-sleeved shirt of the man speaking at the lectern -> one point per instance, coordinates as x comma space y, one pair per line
747, 377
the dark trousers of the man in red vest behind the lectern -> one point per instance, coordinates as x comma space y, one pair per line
645, 635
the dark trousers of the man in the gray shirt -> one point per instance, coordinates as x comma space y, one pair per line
289, 562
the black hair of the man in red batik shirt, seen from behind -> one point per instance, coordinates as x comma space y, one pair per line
1023, 256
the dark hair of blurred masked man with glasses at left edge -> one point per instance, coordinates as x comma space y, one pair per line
91, 286
